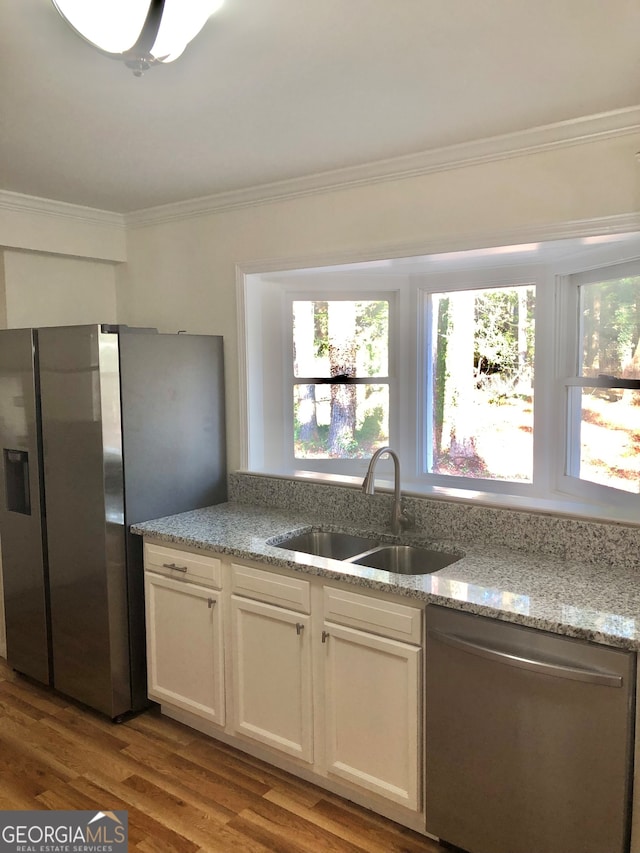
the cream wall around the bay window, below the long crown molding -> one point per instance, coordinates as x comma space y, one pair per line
182, 274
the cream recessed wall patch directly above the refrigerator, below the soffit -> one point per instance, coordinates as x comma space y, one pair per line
47, 290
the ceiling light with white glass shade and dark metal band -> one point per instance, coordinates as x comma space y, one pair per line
142, 33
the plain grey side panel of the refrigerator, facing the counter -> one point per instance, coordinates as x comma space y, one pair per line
173, 422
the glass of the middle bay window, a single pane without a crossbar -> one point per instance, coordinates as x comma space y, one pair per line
480, 393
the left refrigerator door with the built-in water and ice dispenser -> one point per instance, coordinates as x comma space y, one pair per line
22, 534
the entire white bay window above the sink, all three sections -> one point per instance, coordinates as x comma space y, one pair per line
509, 372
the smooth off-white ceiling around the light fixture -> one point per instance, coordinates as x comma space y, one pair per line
277, 89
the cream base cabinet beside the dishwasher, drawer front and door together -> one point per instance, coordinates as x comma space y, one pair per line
372, 667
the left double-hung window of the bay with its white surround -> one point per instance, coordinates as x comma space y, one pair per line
321, 357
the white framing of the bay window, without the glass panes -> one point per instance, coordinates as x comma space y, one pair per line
556, 331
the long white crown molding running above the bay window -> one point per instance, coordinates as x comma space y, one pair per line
559, 135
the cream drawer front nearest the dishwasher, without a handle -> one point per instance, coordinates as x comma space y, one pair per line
386, 618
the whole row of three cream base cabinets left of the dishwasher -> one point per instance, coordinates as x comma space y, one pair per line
328, 678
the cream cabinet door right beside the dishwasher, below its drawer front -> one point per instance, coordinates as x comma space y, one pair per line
372, 706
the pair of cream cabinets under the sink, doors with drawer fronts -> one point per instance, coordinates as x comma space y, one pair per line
367, 651
